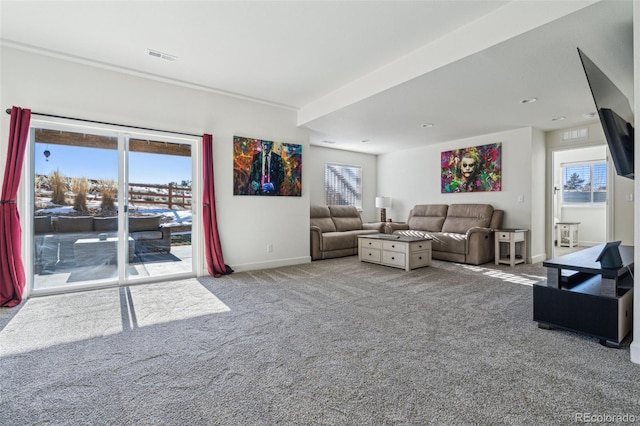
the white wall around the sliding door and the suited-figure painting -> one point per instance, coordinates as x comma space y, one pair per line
246, 224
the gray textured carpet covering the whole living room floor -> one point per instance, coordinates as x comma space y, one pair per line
332, 342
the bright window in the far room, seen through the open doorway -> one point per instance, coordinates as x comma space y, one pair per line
584, 183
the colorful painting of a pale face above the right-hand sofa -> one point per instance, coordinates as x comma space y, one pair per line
473, 169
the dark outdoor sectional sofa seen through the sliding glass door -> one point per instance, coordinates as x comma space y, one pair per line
55, 236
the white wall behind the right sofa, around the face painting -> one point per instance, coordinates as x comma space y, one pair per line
413, 177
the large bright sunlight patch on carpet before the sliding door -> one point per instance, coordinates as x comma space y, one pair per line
53, 320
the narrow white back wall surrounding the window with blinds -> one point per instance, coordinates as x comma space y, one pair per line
319, 156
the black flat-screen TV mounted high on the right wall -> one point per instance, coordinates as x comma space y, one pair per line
615, 115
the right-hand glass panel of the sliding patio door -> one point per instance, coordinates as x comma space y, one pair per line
160, 207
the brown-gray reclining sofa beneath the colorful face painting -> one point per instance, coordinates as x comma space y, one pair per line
460, 232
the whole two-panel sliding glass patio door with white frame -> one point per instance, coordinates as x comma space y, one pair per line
109, 206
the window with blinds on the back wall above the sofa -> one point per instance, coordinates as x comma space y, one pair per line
343, 185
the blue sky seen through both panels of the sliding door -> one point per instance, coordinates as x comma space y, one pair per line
95, 163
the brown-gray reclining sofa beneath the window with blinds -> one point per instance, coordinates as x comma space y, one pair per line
335, 230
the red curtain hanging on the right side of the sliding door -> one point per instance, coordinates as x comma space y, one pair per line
212, 247
